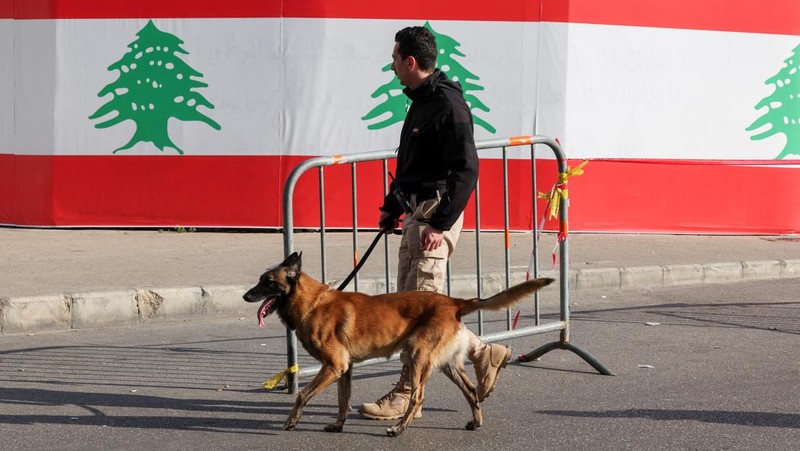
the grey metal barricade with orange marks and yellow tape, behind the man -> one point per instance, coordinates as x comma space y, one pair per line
561, 197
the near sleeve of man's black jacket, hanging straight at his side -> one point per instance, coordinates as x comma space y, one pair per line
461, 158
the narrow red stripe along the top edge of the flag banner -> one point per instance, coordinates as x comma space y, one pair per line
778, 17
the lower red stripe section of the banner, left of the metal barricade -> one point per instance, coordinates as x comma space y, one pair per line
138, 191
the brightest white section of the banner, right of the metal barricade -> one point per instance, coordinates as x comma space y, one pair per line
637, 92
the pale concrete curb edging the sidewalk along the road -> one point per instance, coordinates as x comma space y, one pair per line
142, 306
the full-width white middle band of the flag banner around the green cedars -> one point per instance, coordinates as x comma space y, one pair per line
301, 86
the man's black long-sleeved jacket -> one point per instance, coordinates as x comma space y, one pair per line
436, 144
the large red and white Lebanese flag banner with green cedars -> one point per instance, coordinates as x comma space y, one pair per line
150, 113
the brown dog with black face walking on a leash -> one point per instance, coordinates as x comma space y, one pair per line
340, 328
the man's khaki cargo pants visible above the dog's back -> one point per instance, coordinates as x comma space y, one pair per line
418, 269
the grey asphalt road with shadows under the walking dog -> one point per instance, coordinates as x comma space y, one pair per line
718, 370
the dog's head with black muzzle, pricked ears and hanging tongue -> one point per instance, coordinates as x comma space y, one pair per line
274, 286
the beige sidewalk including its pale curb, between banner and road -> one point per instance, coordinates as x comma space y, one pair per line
62, 279
